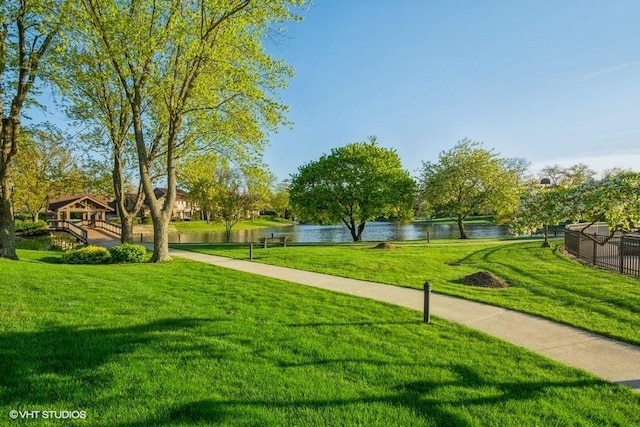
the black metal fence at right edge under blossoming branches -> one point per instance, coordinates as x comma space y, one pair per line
620, 253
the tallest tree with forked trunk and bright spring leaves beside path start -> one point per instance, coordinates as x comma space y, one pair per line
188, 69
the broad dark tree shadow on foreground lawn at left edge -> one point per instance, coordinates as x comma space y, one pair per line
43, 366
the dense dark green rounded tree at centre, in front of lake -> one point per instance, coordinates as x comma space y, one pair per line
353, 184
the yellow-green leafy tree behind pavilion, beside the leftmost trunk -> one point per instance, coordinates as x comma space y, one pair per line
43, 168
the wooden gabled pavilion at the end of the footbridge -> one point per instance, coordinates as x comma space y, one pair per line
79, 206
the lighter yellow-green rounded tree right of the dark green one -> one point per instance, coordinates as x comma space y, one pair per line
469, 179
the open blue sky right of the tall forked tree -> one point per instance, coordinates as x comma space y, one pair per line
549, 81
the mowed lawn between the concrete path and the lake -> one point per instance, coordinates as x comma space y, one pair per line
542, 281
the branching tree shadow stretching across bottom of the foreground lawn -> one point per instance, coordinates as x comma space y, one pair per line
421, 398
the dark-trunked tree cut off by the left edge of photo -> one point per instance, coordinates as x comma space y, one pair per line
28, 30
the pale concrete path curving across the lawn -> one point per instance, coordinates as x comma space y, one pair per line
609, 359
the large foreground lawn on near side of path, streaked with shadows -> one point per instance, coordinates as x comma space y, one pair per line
184, 344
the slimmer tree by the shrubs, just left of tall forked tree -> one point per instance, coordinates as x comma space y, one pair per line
96, 98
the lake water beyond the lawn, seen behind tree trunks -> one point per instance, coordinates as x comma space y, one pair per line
374, 231
